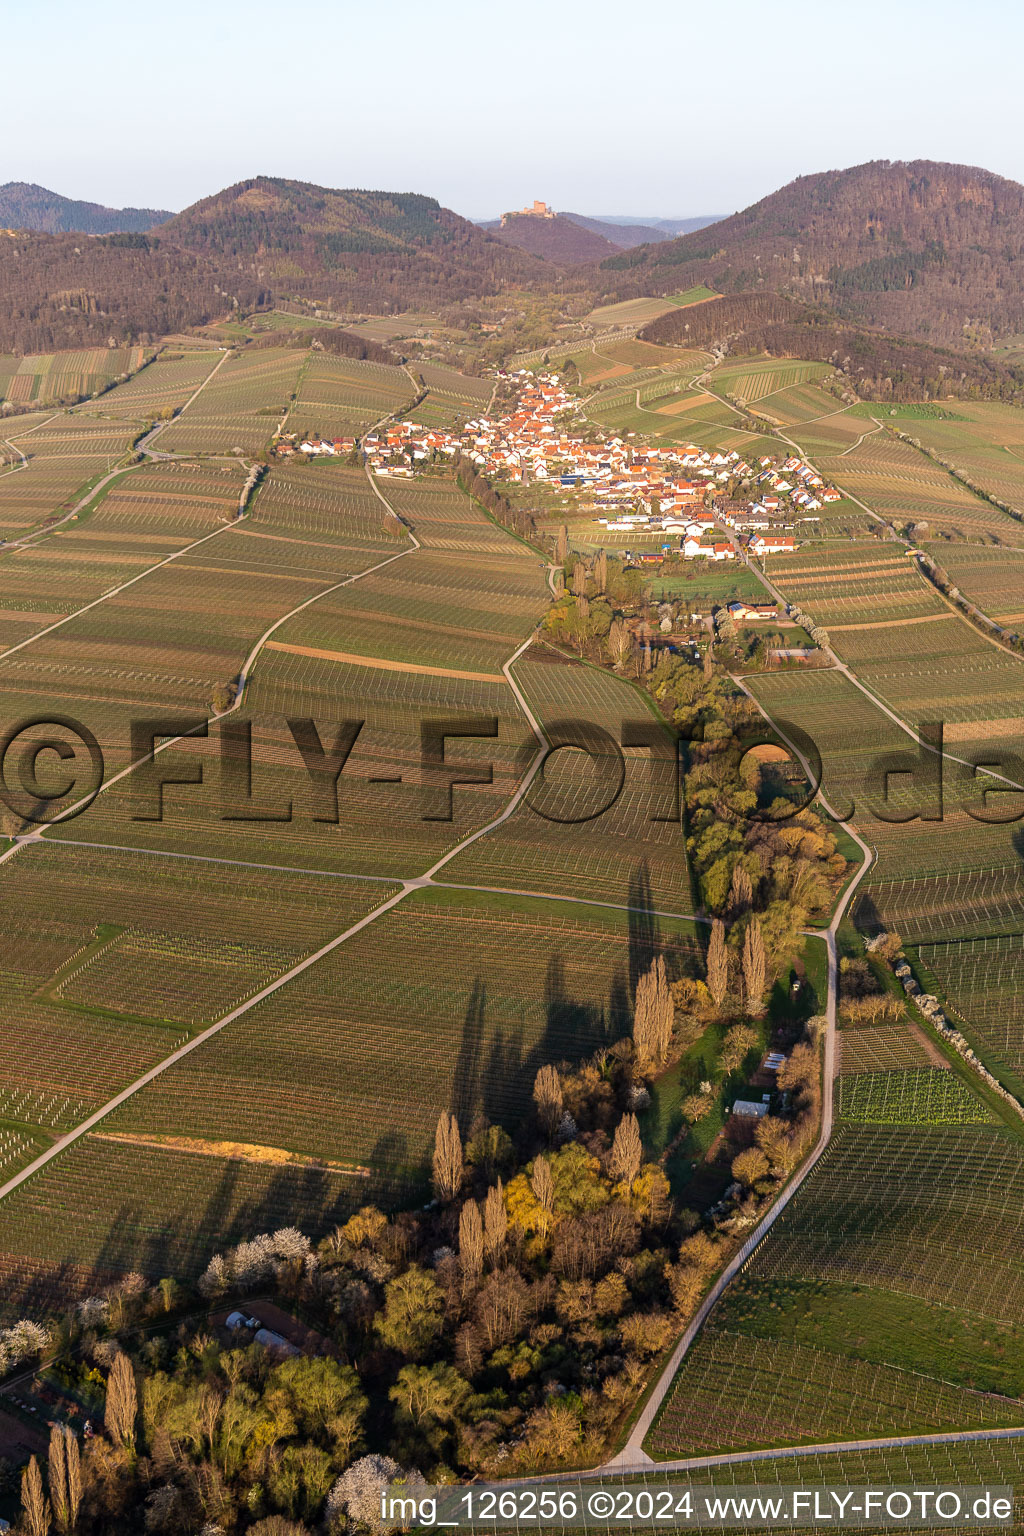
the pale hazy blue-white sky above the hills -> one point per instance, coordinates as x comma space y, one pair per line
659, 108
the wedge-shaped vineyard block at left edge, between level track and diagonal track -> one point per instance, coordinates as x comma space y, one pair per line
127, 970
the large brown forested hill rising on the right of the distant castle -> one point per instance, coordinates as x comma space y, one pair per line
930, 250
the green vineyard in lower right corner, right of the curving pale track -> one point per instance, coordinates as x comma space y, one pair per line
825, 1337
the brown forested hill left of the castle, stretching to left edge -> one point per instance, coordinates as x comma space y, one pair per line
374, 253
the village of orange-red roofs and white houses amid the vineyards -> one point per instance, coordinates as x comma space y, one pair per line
670, 494
